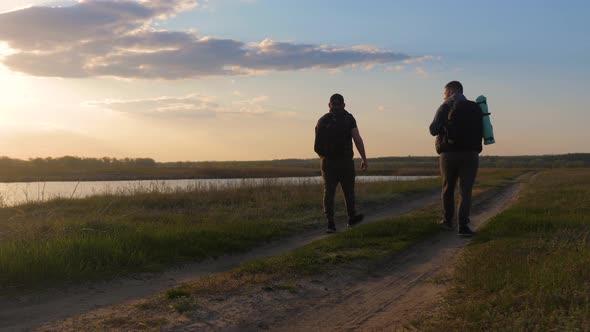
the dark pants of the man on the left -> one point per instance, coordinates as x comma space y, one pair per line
335, 171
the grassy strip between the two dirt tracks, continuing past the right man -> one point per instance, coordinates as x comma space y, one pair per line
370, 243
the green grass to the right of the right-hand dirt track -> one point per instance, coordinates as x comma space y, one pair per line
529, 269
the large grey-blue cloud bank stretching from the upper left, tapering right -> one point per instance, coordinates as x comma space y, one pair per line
117, 38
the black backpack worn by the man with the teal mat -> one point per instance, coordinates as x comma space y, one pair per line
464, 127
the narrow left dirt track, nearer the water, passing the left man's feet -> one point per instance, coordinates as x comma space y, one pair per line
27, 311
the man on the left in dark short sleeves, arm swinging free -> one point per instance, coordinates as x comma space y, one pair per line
334, 134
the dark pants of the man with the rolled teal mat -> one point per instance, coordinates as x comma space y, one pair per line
461, 166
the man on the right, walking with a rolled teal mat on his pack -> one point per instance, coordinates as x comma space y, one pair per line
457, 126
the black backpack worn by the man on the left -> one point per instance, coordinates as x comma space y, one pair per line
333, 136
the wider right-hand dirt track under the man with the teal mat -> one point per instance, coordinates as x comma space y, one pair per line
395, 295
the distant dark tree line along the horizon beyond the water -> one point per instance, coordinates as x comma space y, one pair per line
106, 168
